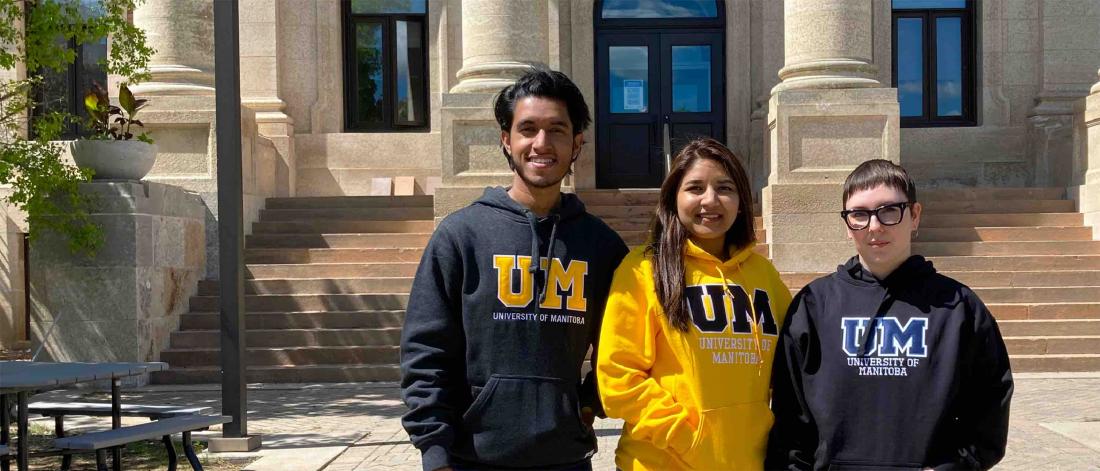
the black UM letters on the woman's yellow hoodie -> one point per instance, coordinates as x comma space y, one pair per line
710, 310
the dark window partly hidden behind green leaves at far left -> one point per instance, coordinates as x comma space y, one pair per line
64, 91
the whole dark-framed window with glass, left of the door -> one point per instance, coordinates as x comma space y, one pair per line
386, 65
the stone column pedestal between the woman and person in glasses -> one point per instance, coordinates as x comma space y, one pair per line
818, 137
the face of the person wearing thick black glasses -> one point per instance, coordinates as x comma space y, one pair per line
884, 248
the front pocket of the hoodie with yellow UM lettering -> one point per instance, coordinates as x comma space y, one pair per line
527, 422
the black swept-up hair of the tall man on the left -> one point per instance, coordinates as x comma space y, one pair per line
544, 84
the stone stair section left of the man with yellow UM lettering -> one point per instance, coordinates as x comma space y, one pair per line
327, 284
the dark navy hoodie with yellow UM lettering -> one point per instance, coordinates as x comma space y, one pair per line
493, 346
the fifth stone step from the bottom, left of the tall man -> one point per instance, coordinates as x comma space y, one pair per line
307, 303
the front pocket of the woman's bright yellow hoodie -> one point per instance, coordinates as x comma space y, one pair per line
731, 439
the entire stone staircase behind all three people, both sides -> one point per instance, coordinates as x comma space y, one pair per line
328, 280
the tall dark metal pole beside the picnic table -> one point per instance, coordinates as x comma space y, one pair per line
230, 210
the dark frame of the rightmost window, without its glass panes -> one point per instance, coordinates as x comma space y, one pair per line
969, 59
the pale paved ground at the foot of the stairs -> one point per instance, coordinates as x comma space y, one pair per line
344, 428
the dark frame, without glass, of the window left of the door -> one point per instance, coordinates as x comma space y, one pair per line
389, 23
